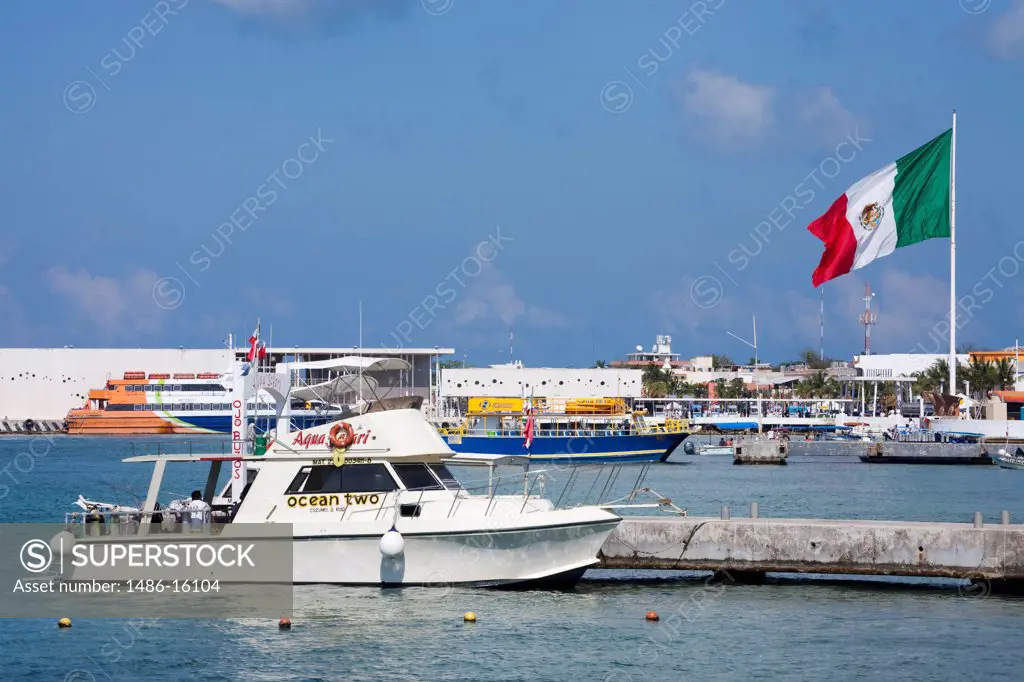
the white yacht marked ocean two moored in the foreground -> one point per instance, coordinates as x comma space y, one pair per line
371, 500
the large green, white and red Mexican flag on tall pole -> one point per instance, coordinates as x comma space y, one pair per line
905, 203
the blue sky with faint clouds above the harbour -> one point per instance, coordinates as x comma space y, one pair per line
587, 174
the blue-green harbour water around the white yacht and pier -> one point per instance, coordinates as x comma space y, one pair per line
786, 630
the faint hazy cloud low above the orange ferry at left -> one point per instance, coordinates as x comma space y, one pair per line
115, 308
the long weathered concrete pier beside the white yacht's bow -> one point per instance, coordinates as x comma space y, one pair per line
754, 546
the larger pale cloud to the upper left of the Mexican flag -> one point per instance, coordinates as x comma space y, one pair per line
734, 112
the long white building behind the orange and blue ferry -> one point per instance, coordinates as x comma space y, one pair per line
46, 383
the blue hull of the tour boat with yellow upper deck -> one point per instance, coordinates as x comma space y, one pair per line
647, 448
